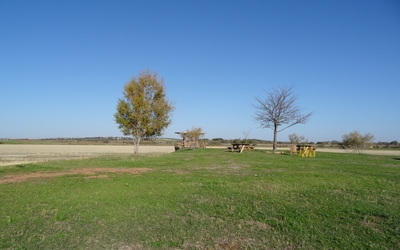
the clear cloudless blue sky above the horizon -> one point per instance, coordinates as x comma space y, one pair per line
63, 64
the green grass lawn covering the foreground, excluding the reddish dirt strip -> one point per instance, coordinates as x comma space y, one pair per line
207, 199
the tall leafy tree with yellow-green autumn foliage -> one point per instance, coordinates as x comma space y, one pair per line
144, 111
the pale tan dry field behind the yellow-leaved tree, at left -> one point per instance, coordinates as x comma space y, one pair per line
16, 154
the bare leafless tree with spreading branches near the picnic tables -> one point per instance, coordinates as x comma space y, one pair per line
279, 109
